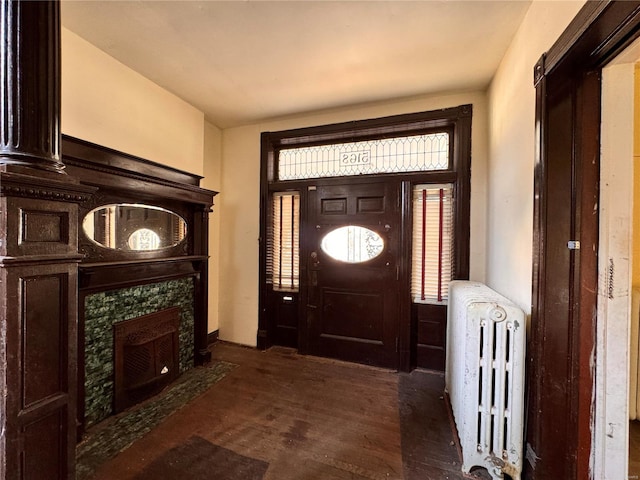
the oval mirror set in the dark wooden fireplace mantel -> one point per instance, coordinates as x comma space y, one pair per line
134, 227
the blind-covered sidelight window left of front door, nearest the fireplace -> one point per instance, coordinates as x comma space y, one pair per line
283, 249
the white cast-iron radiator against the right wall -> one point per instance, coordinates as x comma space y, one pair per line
484, 377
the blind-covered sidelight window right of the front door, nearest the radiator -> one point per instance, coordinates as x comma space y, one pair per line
432, 243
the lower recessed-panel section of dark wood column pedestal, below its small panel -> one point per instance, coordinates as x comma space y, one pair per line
40, 369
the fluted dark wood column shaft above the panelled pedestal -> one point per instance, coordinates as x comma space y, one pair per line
30, 84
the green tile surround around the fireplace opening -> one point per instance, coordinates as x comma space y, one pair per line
102, 310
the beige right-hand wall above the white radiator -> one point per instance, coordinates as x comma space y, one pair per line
511, 151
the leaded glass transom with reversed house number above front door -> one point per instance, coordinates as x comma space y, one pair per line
388, 155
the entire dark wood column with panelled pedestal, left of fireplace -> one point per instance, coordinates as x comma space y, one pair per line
38, 252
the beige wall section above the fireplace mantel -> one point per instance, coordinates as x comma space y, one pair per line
107, 103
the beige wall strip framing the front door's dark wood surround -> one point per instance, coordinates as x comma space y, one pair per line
240, 205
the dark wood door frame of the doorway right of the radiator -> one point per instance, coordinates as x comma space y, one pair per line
570, 71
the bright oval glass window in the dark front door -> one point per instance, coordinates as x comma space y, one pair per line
352, 244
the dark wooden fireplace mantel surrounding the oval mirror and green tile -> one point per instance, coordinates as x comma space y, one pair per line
122, 178
